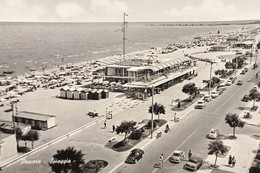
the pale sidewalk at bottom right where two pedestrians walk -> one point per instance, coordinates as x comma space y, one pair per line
243, 148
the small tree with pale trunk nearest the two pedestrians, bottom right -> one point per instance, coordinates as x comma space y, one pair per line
217, 148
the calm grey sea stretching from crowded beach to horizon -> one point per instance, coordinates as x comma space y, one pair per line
36, 45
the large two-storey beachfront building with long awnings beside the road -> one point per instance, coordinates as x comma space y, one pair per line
138, 74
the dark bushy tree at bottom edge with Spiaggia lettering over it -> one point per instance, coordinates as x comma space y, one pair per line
68, 160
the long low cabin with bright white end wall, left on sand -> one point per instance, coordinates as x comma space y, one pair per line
36, 120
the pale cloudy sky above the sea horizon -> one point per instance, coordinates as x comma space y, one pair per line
137, 10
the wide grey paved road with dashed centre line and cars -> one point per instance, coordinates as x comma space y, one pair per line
191, 132
